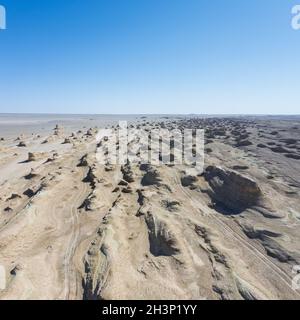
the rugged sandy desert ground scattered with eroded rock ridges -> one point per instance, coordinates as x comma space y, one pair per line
74, 228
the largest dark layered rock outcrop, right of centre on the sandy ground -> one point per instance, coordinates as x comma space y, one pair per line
232, 190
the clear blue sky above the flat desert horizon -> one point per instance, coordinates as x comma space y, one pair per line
150, 56
